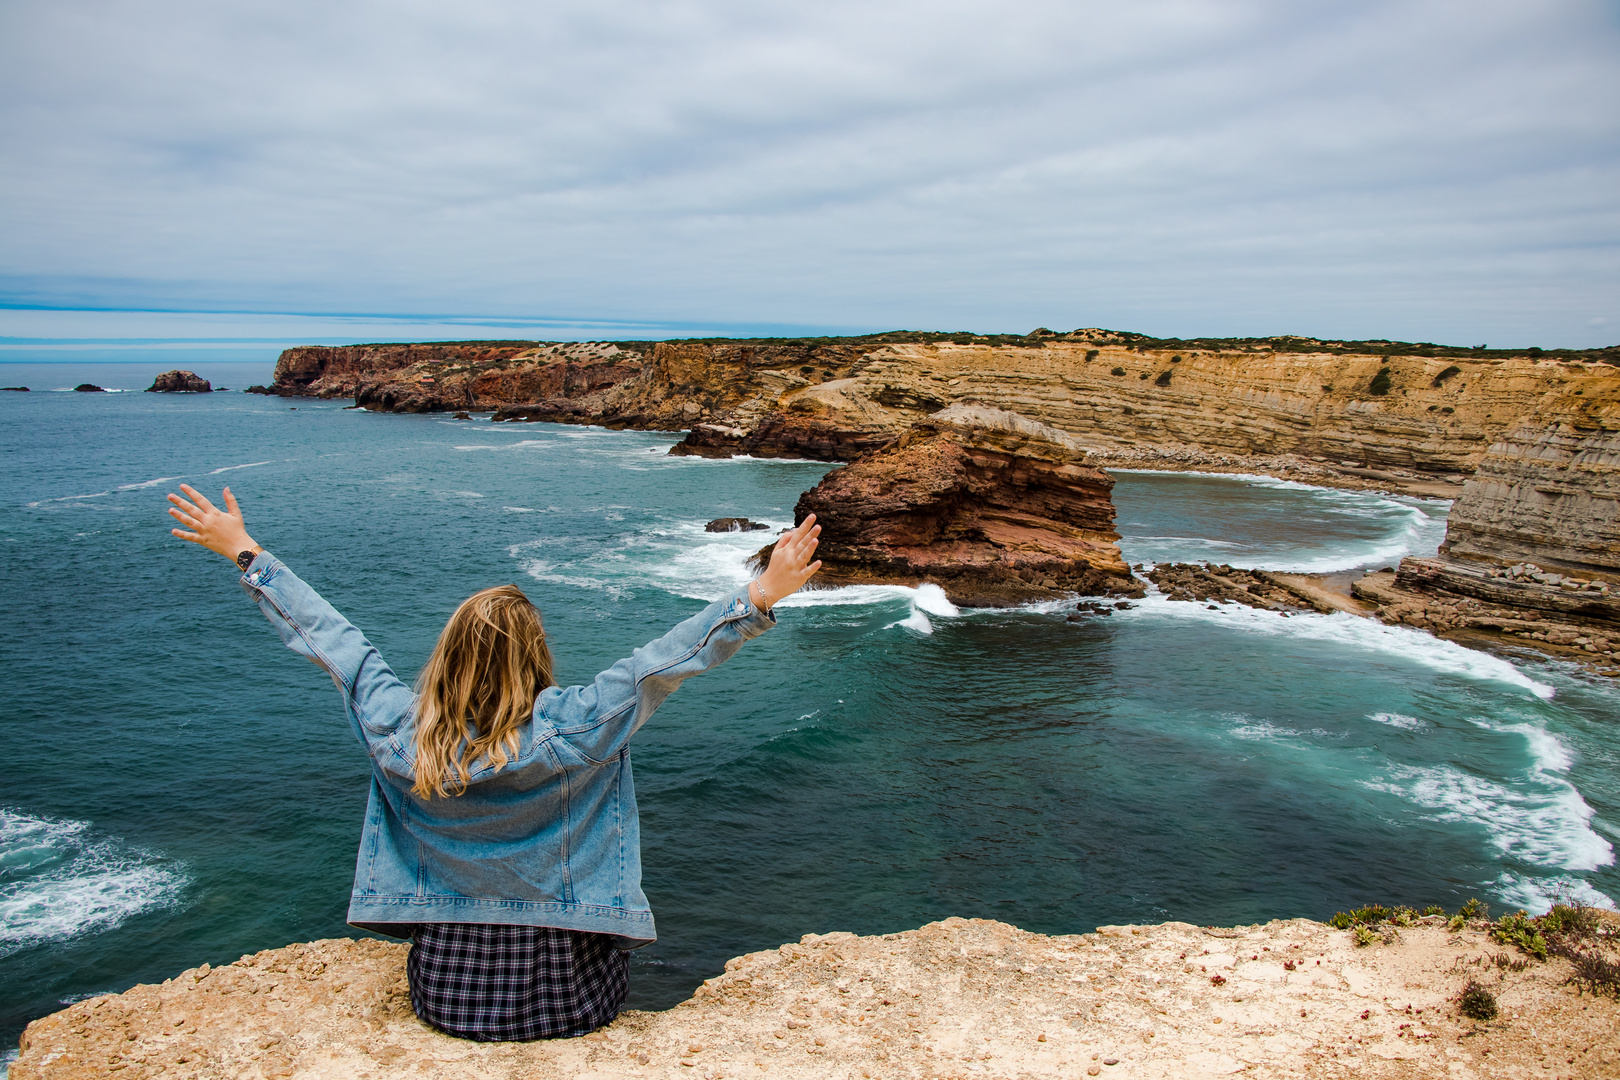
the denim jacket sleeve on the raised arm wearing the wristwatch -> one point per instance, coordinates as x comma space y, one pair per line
373, 695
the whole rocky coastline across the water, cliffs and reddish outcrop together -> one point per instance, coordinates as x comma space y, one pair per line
1524, 441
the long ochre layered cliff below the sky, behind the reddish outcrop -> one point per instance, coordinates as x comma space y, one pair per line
1336, 407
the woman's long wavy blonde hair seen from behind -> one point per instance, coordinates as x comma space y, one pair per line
488, 668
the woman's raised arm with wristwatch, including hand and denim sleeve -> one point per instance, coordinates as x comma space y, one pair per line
373, 695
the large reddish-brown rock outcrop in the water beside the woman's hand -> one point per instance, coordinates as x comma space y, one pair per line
991, 506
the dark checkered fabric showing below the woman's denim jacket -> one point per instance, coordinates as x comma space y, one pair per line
498, 984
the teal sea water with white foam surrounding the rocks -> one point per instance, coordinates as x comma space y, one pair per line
182, 789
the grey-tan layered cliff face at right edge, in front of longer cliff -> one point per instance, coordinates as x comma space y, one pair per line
1550, 490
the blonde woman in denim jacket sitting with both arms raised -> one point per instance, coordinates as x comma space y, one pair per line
501, 831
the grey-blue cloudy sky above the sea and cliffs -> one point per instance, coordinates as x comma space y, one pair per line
1422, 169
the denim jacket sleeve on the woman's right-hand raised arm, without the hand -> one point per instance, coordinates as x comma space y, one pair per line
599, 720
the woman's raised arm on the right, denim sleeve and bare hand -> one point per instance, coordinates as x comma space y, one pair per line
600, 718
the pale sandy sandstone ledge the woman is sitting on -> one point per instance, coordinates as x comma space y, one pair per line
961, 998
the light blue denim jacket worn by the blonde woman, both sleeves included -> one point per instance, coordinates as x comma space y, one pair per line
552, 840
